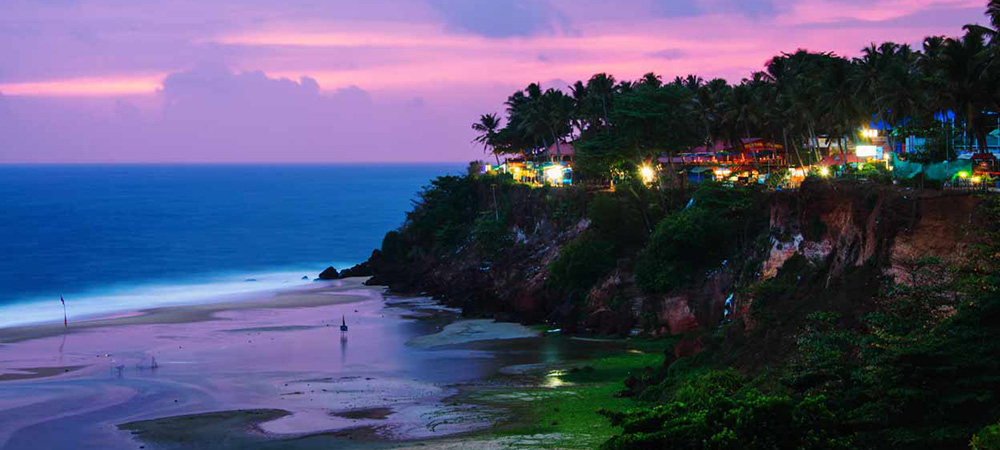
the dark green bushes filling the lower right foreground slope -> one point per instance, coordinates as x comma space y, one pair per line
921, 371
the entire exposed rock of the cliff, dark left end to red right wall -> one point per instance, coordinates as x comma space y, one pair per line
851, 235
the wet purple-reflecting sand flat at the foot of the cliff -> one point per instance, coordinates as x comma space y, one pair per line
269, 372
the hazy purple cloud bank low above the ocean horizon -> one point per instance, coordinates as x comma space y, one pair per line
211, 114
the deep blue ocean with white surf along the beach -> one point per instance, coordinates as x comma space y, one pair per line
120, 237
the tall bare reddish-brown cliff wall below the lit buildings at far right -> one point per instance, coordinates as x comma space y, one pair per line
856, 236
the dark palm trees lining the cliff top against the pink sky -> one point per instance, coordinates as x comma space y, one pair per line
796, 100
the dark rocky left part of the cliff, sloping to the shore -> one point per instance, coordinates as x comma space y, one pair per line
509, 284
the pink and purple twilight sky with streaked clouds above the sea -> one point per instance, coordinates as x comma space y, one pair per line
190, 81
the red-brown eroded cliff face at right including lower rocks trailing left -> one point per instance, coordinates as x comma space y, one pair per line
852, 236
